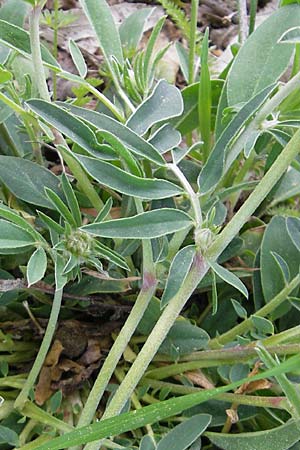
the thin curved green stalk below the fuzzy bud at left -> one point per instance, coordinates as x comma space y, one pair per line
35, 370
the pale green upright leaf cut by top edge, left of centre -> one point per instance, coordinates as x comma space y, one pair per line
100, 17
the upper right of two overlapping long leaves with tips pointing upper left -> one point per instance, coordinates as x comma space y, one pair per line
130, 139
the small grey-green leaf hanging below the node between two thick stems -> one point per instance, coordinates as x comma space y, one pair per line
178, 272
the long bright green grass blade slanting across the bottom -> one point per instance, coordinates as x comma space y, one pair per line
156, 412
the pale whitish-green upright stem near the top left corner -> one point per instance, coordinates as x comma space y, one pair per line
39, 72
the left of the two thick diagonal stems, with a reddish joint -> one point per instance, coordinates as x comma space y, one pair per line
121, 342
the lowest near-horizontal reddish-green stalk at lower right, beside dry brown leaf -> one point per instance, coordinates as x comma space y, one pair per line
240, 399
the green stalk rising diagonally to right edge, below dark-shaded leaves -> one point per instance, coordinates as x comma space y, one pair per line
246, 325
